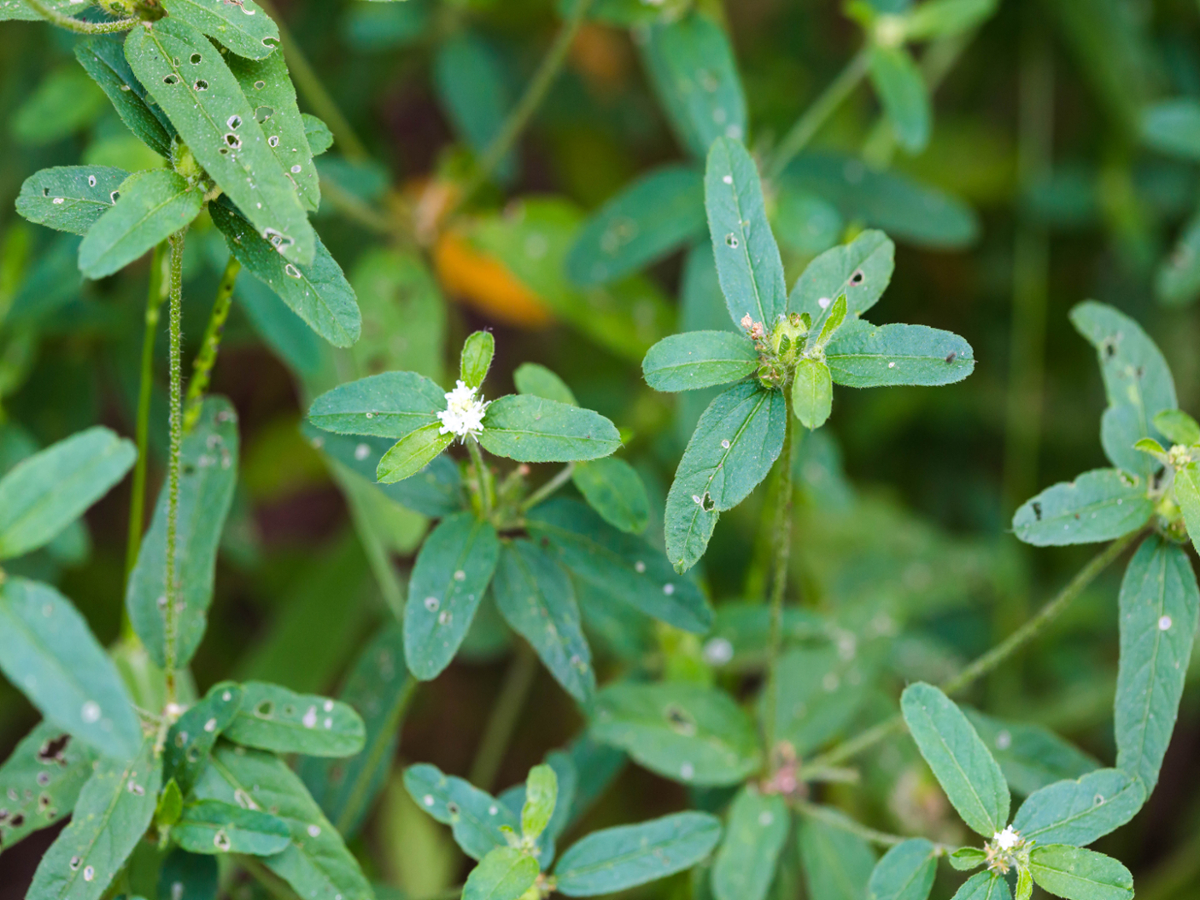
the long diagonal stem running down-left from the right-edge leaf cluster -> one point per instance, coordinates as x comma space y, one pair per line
988, 662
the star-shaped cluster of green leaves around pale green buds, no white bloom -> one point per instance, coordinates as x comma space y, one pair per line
791, 351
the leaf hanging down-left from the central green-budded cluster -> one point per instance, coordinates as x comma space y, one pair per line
735, 445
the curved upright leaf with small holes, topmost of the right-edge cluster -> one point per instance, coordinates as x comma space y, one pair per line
1137, 382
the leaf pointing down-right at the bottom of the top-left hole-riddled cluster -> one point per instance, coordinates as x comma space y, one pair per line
317, 292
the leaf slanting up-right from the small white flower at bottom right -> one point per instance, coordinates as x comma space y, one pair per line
1081, 813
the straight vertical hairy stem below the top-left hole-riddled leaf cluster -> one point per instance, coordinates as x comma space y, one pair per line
177, 439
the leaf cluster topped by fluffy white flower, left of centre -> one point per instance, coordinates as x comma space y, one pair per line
495, 539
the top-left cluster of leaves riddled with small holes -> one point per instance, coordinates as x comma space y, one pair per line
208, 91
